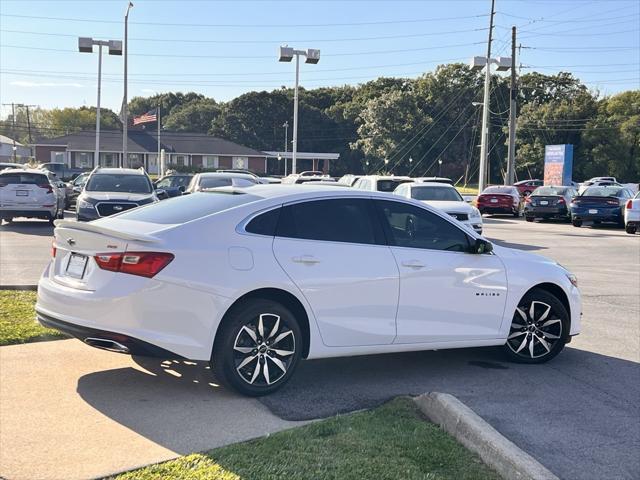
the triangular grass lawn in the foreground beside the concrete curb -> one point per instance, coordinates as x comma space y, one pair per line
389, 442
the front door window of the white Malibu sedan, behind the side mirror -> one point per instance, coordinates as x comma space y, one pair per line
414, 227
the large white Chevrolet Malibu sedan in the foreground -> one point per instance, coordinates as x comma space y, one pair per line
256, 279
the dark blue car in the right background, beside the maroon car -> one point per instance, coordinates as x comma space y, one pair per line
600, 205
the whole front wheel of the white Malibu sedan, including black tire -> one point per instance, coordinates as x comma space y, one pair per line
537, 338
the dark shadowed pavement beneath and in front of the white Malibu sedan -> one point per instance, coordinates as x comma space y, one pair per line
572, 413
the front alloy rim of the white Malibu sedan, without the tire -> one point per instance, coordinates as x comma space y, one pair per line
535, 330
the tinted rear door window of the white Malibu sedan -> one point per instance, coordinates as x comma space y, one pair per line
348, 220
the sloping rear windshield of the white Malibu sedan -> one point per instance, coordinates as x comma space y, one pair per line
189, 207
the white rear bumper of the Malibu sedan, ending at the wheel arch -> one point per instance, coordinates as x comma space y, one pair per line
141, 311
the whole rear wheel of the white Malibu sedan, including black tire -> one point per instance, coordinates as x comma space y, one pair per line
238, 330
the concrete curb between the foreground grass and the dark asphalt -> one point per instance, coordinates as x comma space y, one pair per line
478, 436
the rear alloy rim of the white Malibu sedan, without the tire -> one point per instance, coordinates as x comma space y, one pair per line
263, 350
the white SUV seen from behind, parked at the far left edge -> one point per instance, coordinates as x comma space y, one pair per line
30, 193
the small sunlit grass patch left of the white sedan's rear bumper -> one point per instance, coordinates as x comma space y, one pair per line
17, 319
